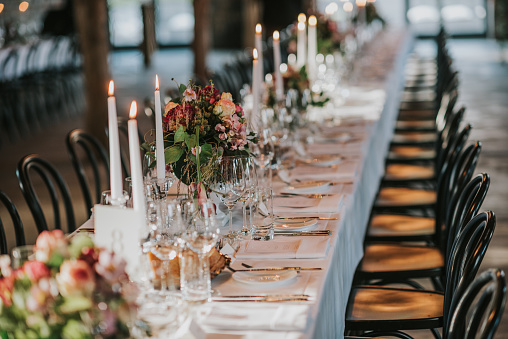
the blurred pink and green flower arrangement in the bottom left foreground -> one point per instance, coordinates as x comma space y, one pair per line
70, 289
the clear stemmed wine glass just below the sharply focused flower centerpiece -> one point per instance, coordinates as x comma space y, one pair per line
229, 184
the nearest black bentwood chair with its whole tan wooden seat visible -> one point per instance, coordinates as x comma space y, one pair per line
374, 308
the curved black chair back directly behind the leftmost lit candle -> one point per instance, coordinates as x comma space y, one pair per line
96, 158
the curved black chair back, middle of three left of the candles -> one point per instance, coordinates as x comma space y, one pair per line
55, 186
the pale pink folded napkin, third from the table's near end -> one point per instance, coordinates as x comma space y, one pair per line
326, 204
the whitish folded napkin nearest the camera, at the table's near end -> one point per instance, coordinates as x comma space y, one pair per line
254, 317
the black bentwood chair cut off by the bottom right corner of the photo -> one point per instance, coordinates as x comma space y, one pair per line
476, 313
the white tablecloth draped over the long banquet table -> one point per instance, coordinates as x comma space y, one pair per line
330, 287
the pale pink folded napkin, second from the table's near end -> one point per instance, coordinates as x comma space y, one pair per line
307, 248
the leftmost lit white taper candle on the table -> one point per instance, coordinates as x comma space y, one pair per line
115, 169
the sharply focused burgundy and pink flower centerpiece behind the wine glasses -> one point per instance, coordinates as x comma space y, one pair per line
199, 127
